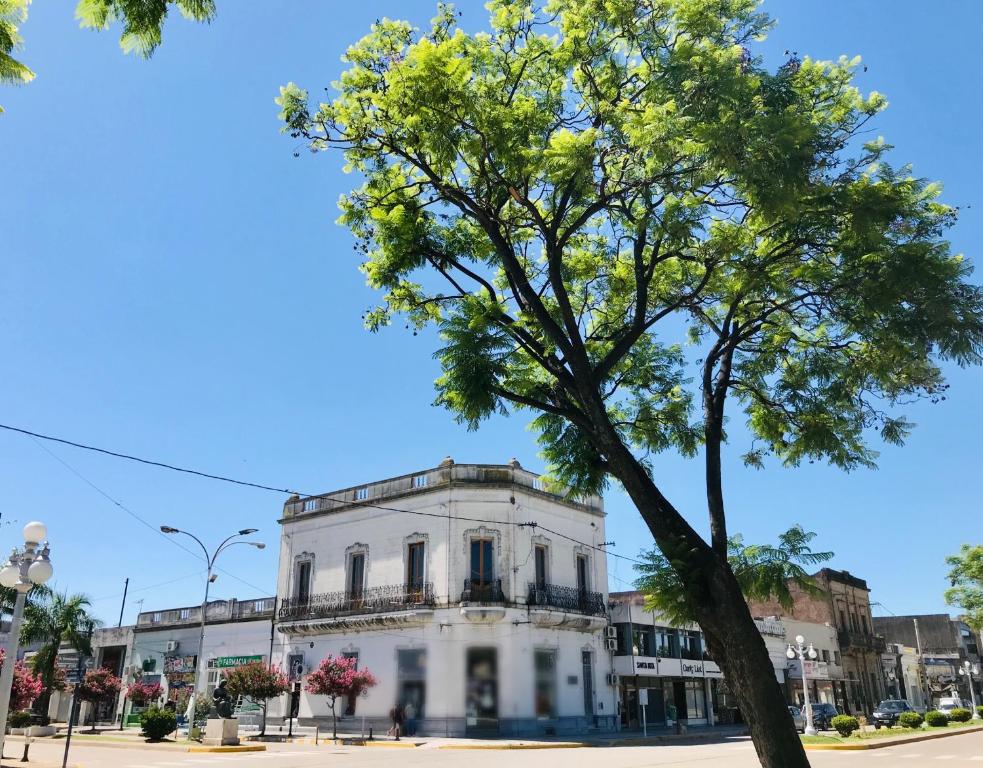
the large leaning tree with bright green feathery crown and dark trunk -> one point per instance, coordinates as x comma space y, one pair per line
623, 222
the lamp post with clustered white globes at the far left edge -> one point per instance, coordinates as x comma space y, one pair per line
23, 570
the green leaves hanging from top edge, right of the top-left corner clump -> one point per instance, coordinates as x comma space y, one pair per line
142, 20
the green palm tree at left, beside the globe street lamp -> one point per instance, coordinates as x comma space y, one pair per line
52, 620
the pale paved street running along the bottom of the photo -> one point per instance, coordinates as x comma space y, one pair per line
955, 751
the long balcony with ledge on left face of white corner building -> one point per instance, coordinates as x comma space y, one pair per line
389, 605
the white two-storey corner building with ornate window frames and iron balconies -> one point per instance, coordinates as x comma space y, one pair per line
474, 593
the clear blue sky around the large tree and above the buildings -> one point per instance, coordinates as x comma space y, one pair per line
173, 284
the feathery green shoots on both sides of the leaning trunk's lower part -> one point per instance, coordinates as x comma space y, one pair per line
763, 571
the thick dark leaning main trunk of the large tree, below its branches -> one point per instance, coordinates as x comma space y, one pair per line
722, 612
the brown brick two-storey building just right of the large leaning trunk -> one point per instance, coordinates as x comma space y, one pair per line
845, 605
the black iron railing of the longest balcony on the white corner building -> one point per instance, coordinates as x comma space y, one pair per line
329, 605
